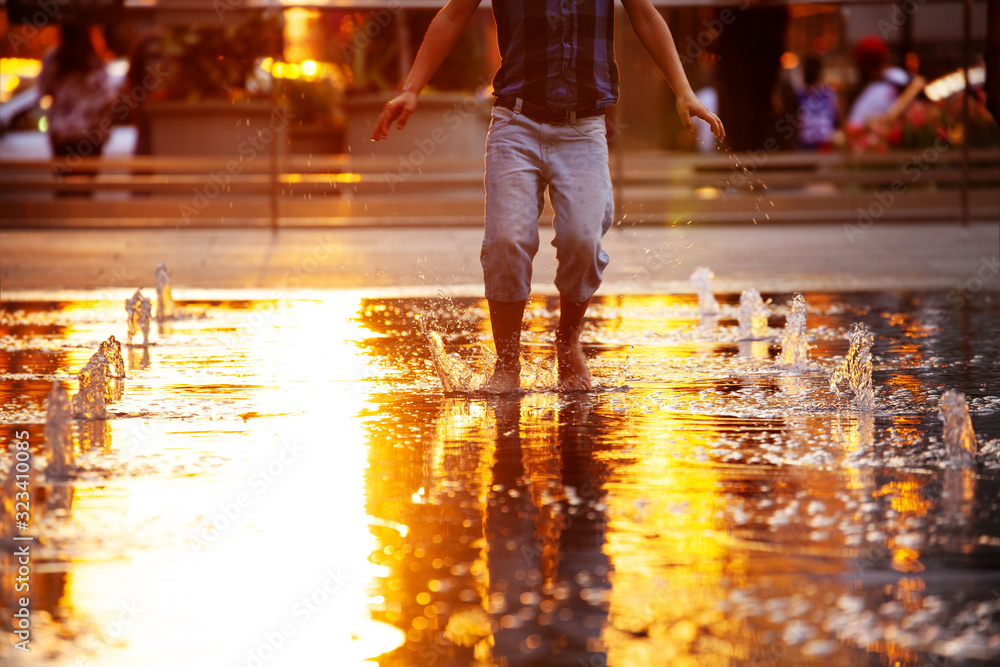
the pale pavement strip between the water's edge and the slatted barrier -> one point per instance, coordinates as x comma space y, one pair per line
645, 259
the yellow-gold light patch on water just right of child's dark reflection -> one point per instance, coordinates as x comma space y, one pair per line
667, 556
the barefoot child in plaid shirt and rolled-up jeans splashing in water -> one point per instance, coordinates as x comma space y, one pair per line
557, 75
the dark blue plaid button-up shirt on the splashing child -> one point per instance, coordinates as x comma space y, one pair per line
558, 54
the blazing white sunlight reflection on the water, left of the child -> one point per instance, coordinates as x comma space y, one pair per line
272, 557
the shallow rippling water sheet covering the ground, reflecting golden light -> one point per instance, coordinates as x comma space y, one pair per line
284, 482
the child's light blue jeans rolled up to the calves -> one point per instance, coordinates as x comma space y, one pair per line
523, 158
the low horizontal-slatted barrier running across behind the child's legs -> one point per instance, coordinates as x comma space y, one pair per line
651, 188
